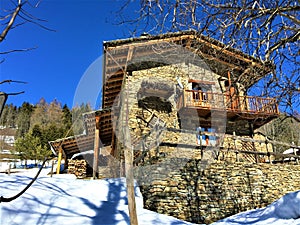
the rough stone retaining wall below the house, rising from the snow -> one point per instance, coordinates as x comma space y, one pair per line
204, 192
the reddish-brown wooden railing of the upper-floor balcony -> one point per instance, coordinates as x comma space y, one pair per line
231, 103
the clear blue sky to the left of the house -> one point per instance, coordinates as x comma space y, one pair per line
62, 58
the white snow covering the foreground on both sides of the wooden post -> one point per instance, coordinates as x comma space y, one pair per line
72, 201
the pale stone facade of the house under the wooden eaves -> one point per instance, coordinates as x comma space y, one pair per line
164, 108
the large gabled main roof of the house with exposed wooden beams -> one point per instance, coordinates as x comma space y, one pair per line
149, 51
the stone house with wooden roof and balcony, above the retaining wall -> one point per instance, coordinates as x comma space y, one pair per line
173, 95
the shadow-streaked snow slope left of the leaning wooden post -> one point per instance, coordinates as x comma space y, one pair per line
55, 202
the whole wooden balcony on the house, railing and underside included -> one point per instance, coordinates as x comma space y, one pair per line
235, 108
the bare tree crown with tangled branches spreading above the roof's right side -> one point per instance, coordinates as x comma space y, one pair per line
268, 30
